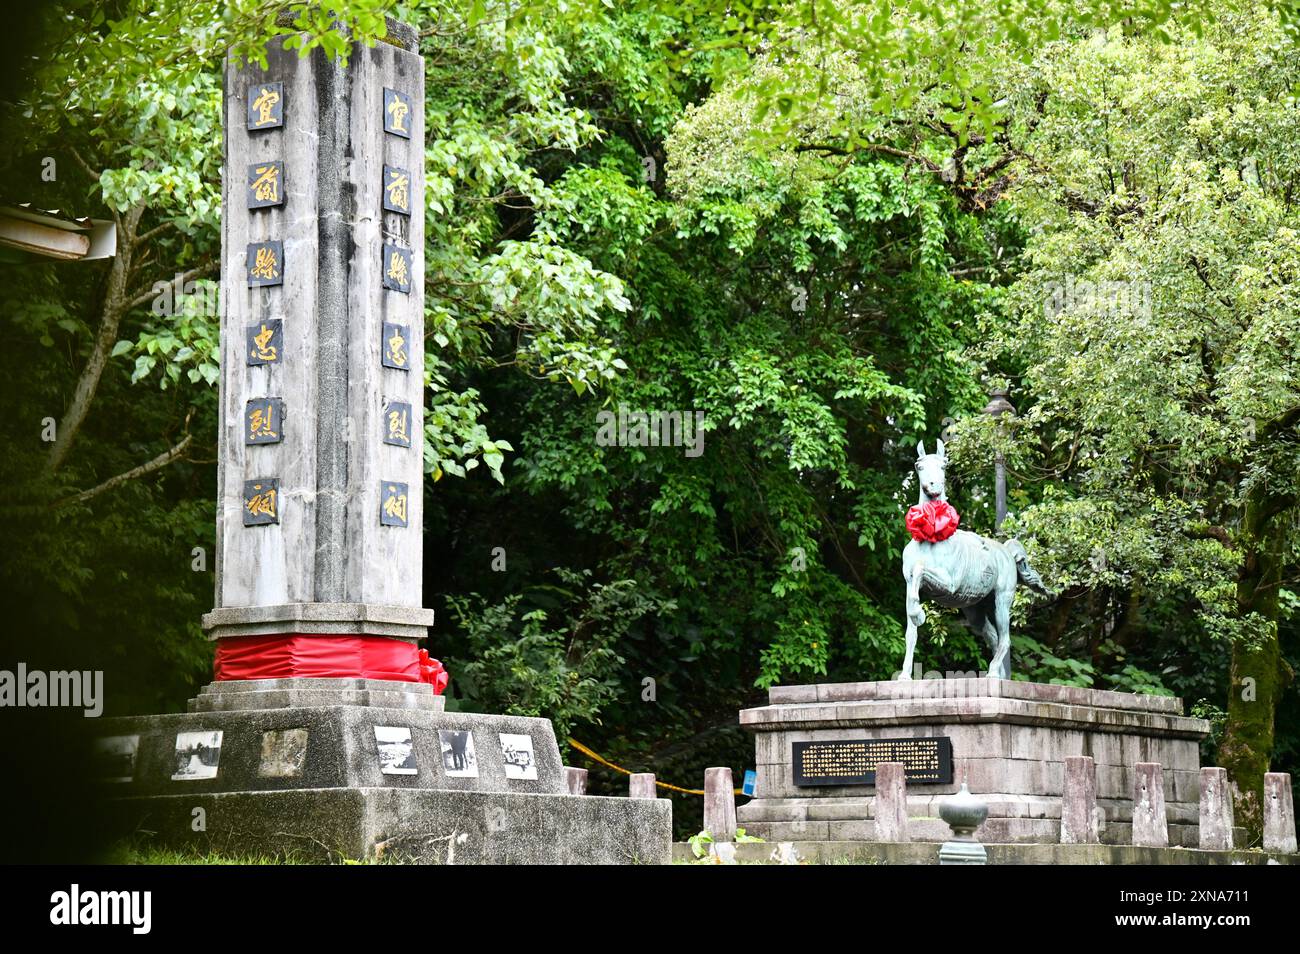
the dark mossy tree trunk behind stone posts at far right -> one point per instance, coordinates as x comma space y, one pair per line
1259, 673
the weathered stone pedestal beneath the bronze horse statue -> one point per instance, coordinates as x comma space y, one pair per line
1008, 739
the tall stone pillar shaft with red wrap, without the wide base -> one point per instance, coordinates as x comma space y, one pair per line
319, 519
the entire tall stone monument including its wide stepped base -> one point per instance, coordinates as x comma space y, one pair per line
323, 732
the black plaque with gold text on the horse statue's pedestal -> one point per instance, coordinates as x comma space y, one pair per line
853, 762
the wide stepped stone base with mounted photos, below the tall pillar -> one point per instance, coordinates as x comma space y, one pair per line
349, 769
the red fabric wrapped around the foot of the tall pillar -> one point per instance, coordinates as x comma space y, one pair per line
301, 656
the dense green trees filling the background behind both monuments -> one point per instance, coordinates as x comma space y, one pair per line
825, 229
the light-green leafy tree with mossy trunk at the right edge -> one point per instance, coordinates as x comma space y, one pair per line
1156, 335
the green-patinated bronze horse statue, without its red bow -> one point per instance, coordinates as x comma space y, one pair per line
965, 570
